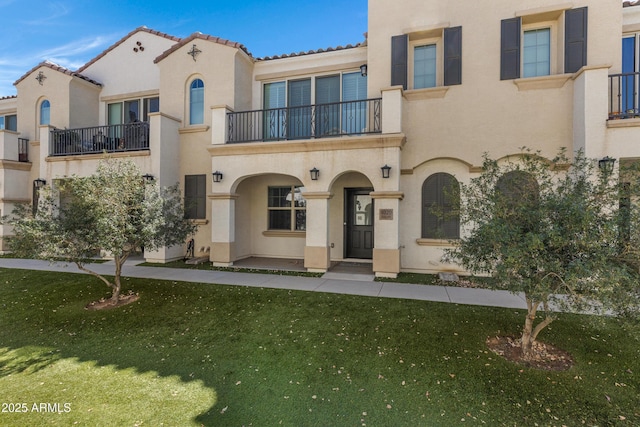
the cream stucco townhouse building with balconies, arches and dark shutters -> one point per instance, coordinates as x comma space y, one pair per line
340, 153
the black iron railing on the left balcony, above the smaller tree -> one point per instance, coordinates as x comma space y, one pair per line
93, 140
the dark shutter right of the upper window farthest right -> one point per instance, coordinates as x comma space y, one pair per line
575, 40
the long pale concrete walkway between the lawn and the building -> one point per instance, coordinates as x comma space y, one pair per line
338, 285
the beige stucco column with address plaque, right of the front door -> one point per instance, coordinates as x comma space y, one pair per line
386, 253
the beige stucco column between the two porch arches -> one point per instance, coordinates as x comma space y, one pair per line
316, 250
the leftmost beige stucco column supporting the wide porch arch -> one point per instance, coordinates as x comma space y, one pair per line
223, 229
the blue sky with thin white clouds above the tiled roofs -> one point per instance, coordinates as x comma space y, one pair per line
70, 33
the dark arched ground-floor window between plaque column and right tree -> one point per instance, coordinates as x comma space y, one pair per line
440, 202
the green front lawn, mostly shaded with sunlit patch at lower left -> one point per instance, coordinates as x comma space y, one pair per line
196, 354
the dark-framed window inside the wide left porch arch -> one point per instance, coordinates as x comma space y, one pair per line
287, 208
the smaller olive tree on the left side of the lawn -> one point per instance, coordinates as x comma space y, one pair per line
114, 210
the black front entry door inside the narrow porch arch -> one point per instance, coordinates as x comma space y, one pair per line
358, 223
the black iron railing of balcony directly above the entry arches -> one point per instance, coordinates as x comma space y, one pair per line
311, 121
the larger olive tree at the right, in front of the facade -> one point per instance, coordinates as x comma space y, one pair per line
549, 230
